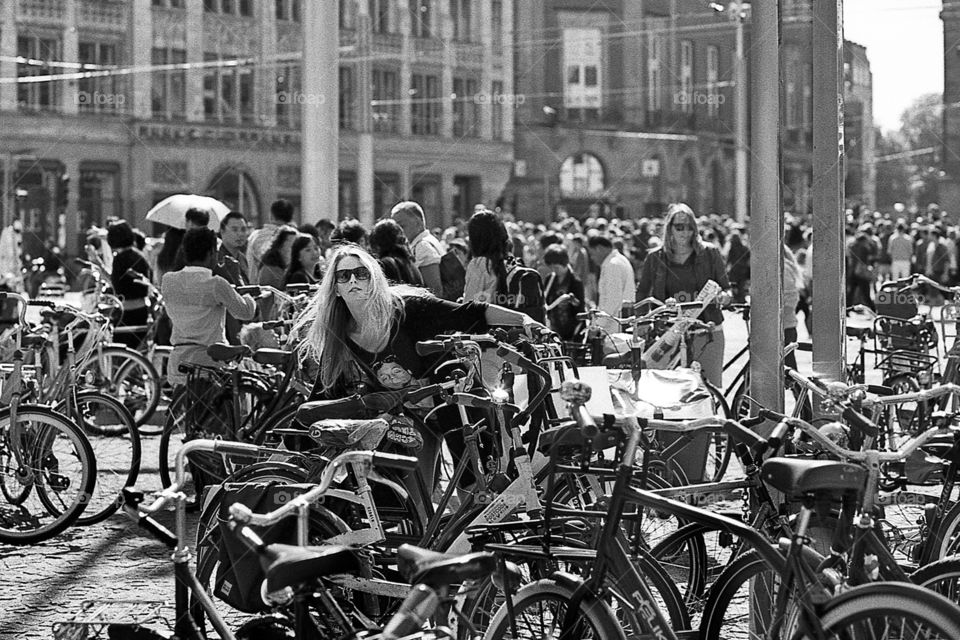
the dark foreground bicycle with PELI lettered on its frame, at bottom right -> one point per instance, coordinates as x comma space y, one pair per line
567, 607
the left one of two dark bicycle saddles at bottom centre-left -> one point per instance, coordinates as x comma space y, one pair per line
288, 565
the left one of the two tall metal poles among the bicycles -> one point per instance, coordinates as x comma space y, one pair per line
766, 219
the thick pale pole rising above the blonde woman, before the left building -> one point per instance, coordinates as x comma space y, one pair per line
320, 133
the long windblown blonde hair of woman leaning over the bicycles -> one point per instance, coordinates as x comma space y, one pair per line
326, 321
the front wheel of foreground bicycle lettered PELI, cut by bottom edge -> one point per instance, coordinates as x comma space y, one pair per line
600, 623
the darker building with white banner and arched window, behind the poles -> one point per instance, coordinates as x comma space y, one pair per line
628, 105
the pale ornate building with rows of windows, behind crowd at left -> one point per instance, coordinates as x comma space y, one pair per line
118, 104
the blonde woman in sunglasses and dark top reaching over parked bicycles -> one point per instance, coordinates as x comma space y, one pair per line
362, 329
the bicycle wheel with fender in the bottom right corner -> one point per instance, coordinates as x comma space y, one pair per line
892, 607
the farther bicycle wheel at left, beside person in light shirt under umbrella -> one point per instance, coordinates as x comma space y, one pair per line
130, 377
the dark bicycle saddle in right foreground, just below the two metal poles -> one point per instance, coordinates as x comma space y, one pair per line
795, 477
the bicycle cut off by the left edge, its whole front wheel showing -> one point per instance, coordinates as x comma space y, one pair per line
47, 467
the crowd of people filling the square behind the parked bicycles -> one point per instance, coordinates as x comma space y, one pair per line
548, 273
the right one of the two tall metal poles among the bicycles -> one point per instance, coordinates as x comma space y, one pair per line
829, 271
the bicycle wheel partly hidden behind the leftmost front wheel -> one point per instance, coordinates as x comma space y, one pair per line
117, 452
